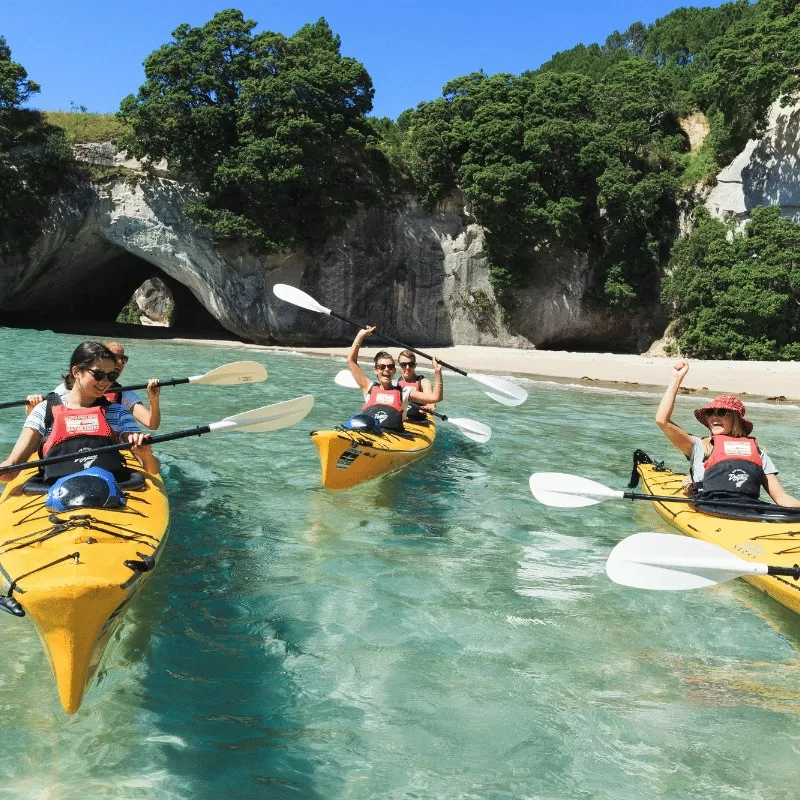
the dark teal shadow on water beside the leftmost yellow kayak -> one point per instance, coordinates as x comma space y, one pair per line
224, 699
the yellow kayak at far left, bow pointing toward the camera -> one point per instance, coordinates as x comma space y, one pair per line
73, 573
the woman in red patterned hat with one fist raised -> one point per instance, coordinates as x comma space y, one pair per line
728, 462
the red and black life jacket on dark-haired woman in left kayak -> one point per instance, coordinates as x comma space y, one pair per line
73, 431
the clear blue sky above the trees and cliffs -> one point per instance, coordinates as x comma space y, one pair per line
90, 52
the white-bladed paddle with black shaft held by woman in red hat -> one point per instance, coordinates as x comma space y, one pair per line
571, 491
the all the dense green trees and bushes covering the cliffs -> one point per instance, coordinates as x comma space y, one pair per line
584, 153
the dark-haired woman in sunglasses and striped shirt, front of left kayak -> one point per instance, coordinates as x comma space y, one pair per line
83, 420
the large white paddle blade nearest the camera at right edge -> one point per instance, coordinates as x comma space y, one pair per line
668, 562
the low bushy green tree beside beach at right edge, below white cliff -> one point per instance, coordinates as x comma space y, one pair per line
738, 296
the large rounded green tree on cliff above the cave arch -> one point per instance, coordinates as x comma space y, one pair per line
272, 129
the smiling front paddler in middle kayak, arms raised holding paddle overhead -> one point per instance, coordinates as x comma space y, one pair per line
383, 400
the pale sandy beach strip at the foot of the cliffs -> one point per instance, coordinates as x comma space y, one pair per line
762, 380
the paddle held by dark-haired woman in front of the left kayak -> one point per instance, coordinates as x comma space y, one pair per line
267, 418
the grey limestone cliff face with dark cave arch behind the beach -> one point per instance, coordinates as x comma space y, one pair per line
423, 277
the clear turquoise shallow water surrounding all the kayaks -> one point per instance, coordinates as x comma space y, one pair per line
437, 634
